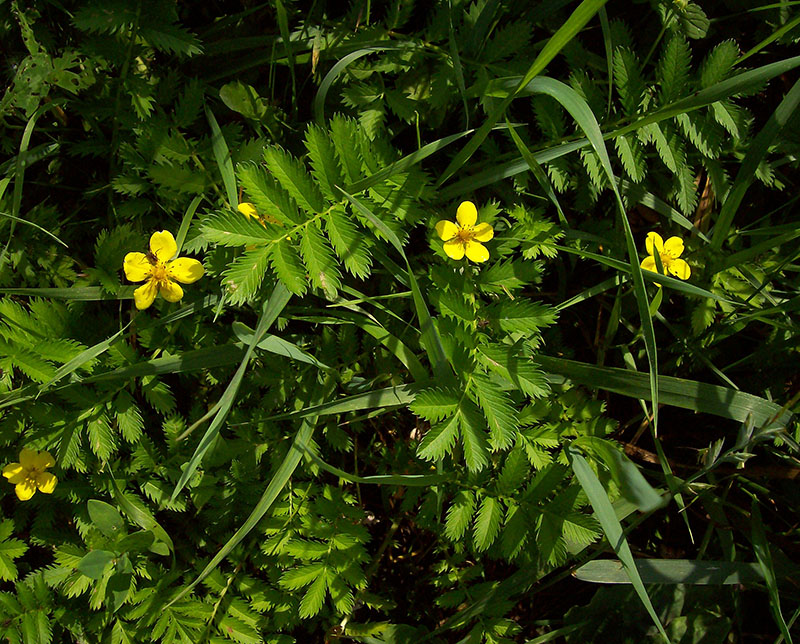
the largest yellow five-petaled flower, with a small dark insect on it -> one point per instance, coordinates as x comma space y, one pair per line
160, 270
